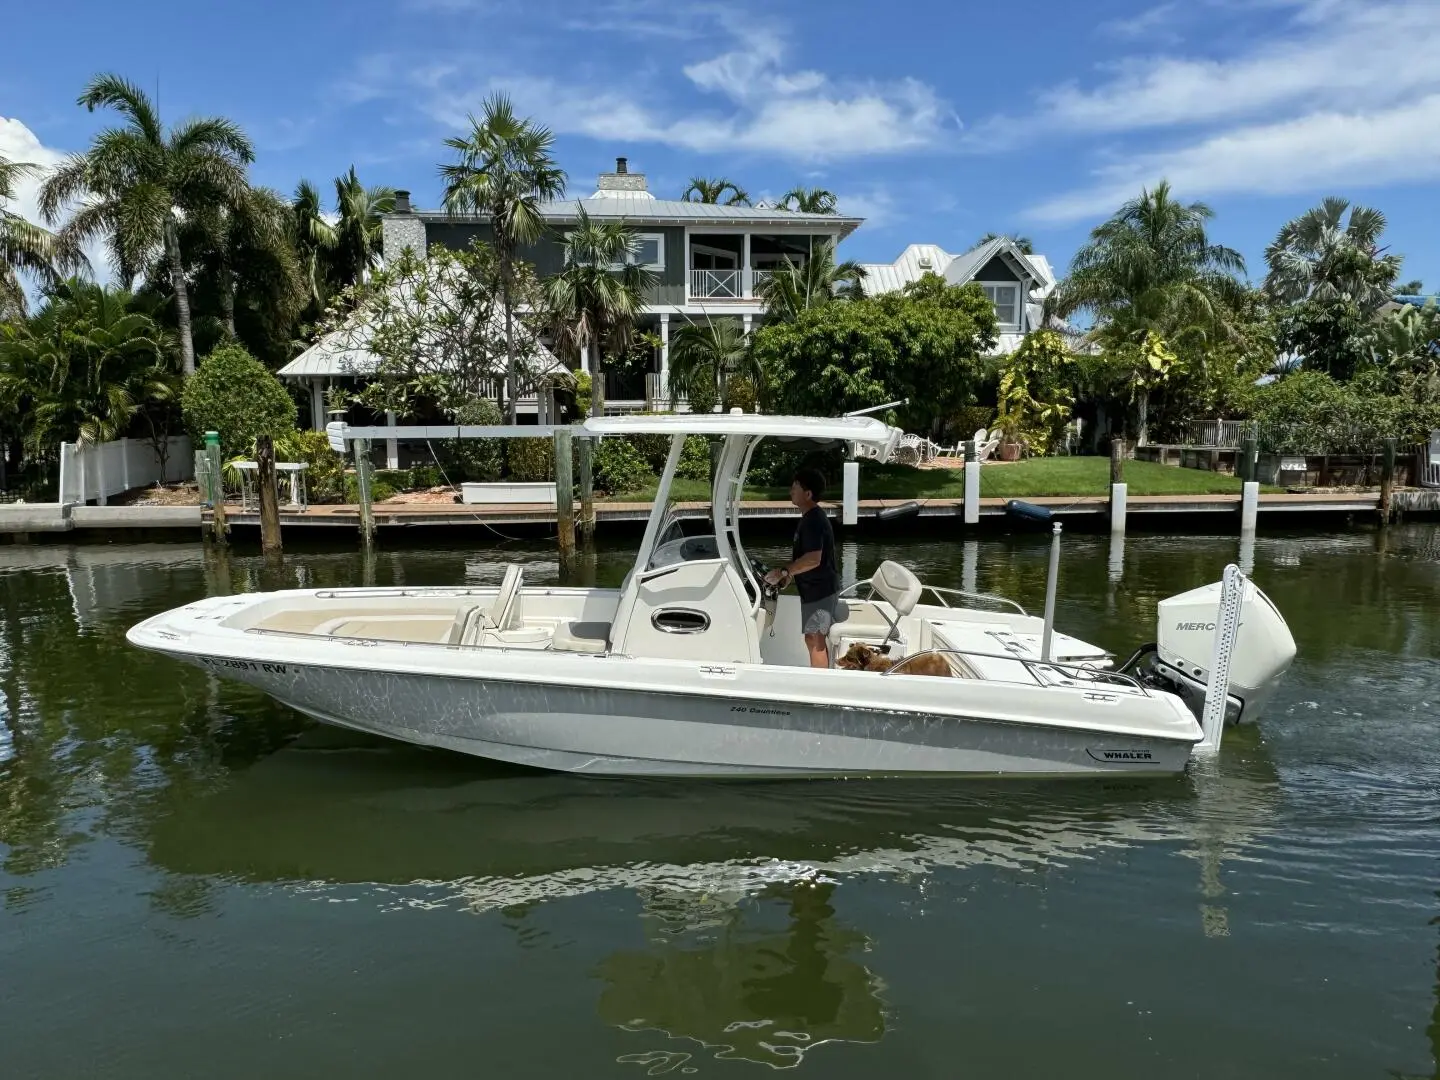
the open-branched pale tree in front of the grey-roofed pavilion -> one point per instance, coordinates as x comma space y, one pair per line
437, 329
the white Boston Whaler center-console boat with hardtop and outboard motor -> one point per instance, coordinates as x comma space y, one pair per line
695, 669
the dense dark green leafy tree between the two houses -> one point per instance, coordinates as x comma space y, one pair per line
925, 343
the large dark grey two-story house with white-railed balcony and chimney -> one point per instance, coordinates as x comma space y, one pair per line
708, 258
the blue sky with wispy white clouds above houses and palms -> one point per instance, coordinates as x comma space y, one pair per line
937, 122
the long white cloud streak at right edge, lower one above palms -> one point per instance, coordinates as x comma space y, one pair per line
1317, 150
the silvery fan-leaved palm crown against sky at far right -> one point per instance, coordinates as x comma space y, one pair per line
1321, 256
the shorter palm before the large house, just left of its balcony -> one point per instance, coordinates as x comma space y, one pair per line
600, 293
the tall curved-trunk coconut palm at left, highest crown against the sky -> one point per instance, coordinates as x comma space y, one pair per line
136, 185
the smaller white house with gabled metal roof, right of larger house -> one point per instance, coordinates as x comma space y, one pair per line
1016, 283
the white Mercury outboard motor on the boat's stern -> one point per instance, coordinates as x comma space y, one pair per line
1186, 646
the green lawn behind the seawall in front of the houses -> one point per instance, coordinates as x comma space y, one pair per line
1020, 480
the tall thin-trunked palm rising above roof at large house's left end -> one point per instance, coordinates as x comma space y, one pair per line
505, 172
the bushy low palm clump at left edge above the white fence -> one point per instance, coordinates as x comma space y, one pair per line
84, 366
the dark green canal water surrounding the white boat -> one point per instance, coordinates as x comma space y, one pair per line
198, 882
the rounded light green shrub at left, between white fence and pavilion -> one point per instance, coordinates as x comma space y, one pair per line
235, 395
